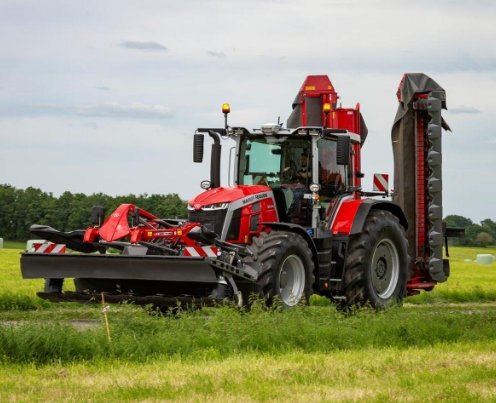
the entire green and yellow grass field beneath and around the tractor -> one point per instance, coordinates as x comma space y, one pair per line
438, 346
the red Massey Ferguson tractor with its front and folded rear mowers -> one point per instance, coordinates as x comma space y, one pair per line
295, 222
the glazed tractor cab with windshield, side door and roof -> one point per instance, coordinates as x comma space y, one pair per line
300, 166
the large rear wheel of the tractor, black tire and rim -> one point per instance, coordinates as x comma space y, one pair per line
377, 265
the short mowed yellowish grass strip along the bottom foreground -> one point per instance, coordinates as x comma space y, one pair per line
455, 372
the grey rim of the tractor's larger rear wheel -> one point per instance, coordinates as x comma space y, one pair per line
385, 268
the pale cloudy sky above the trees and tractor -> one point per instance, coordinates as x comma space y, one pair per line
104, 96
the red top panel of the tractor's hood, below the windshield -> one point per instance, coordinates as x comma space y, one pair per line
225, 195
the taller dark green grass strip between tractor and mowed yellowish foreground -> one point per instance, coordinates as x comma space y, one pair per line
225, 331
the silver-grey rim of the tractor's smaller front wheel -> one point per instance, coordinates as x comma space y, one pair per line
291, 280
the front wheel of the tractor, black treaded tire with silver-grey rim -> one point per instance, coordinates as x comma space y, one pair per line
285, 268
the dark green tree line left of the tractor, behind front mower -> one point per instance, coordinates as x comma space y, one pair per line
19, 208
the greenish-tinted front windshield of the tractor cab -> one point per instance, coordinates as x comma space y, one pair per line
274, 161
